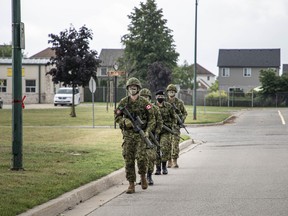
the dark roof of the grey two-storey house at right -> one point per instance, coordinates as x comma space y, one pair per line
249, 58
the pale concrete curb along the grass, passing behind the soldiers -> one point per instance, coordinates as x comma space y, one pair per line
71, 199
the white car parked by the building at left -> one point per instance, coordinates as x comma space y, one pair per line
64, 96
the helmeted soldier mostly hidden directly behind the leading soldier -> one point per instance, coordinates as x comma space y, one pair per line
152, 152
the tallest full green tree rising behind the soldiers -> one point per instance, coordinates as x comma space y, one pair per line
148, 41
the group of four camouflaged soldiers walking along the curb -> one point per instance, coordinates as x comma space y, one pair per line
151, 131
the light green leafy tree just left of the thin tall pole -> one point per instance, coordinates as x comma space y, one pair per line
183, 75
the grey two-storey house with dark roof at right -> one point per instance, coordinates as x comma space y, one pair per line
240, 68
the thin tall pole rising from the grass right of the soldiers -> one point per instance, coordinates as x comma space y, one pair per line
195, 64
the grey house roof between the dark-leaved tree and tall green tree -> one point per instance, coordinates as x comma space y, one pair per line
109, 56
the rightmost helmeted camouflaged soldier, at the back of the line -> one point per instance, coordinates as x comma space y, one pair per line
180, 110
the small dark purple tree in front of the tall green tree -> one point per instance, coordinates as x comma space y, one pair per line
158, 76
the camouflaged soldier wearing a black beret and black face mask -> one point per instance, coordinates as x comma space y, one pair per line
169, 120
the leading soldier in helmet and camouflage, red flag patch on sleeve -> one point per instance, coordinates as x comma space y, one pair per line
133, 147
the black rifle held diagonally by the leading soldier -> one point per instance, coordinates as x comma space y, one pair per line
137, 126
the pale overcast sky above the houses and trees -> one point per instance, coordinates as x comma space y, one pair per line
222, 24
